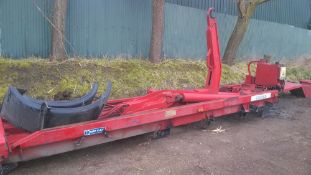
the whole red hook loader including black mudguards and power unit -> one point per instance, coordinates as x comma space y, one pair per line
31, 129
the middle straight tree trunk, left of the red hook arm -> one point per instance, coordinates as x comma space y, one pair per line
157, 31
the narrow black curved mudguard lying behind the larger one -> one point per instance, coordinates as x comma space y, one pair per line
84, 100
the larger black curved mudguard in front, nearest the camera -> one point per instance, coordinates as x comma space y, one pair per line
26, 114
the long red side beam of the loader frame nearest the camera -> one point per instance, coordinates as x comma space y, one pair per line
162, 118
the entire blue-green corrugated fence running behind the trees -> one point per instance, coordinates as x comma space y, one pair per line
109, 28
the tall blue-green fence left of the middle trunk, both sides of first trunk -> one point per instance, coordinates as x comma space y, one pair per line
94, 28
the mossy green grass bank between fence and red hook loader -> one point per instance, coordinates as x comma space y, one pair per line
44, 79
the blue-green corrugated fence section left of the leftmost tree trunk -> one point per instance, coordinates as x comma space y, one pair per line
24, 30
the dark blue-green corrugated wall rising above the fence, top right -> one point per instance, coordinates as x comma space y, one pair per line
292, 12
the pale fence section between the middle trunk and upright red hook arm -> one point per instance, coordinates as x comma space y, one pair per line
184, 35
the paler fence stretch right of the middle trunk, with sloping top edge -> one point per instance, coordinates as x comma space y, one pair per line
185, 36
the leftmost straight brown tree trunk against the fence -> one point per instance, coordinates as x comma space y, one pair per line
58, 33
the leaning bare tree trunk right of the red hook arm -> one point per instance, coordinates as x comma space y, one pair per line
246, 9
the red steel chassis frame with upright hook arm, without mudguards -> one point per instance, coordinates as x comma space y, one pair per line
156, 111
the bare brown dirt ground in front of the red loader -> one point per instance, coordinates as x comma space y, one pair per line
277, 144
